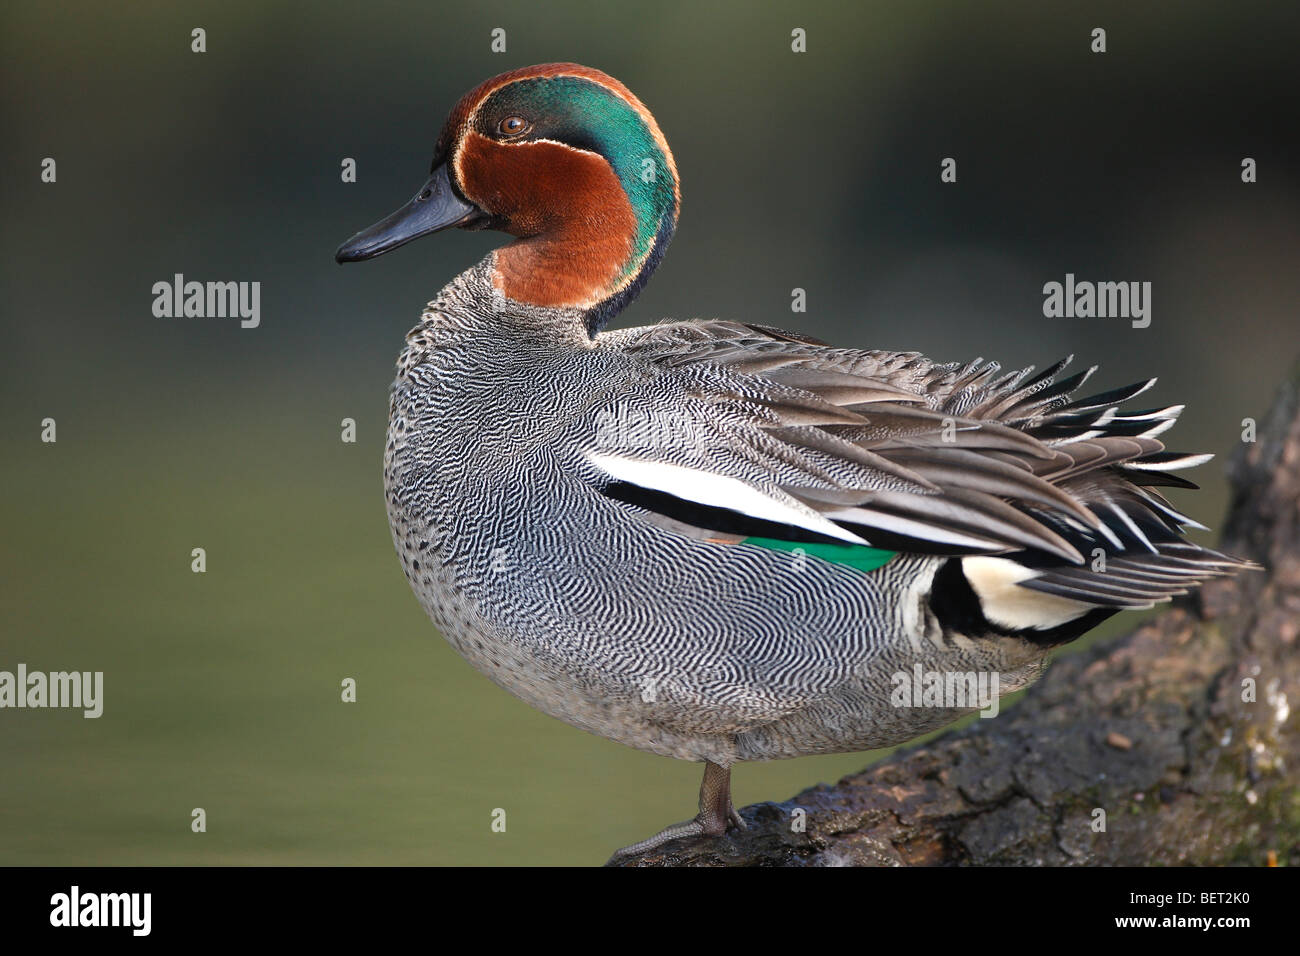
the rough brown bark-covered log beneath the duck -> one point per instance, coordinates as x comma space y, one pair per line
1151, 729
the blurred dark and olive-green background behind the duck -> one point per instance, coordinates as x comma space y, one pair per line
818, 171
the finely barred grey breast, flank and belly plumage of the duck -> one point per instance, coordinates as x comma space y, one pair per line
575, 604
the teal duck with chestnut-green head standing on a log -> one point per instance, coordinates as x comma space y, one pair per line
716, 540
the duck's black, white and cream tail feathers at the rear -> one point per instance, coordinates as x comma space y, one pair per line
1136, 553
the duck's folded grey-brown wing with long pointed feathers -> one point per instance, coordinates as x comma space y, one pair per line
749, 434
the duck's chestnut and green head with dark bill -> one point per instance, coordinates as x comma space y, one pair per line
567, 161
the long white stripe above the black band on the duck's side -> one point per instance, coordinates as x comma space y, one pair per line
717, 491
